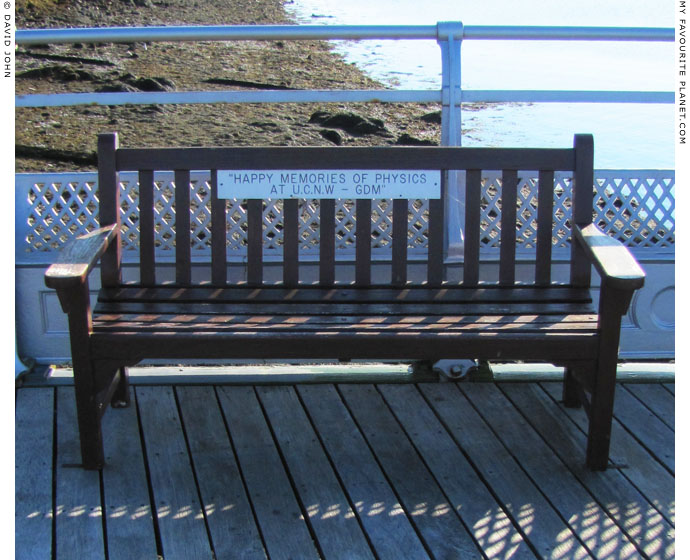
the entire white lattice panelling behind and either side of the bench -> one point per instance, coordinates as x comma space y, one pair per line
636, 207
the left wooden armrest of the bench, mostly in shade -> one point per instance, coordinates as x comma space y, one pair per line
78, 257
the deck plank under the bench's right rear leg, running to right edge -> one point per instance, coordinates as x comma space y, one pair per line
641, 468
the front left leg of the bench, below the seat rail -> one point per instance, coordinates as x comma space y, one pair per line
88, 418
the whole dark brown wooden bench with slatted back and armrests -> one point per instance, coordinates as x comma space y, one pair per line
436, 319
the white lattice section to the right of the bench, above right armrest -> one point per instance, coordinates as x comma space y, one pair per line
639, 211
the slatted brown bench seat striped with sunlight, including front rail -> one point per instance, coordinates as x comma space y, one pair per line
412, 323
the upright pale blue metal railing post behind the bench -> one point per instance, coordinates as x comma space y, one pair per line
449, 37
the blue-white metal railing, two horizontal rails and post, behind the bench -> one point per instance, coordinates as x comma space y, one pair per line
449, 36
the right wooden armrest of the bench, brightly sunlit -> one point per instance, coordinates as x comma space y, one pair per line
613, 261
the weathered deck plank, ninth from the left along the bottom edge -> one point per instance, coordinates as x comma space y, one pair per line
439, 526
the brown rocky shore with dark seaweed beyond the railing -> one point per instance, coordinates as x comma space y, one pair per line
64, 138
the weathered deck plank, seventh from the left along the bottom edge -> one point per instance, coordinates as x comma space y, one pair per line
333, 520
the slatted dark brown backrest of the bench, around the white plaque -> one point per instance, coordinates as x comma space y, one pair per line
145, 161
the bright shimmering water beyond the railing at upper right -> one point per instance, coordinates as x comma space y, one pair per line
627, 136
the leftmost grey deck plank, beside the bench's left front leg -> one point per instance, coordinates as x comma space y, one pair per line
33, 456
